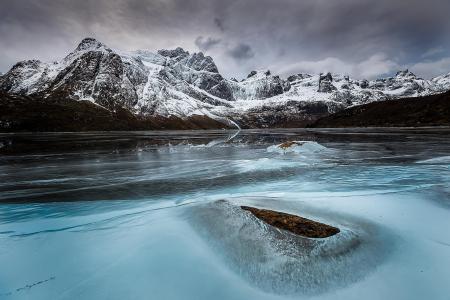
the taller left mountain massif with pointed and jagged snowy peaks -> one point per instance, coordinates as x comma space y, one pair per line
171, 82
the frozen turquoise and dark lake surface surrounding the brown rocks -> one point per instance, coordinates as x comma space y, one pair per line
137, 215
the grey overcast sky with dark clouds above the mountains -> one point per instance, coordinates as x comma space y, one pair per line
363, 38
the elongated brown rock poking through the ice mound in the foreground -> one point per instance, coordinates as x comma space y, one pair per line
292, 223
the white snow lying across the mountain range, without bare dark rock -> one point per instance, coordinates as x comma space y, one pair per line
173, 87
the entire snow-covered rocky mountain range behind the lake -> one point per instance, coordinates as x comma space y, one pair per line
178, 83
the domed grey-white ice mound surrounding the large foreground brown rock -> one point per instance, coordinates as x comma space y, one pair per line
278, 261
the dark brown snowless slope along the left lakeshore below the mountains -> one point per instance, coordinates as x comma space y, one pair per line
24, 113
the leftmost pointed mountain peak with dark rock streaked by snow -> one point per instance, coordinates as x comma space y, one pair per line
92, 71
